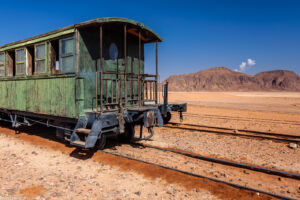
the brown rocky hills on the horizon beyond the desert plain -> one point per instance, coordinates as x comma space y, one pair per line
224, 79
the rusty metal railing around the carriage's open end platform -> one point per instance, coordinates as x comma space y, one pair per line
110, 91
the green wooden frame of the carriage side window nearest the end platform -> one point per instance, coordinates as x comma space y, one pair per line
62, 56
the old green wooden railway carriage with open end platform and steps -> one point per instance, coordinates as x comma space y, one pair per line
87, 80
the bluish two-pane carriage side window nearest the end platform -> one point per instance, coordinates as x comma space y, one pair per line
67, 48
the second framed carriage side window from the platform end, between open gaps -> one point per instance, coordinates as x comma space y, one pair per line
40, 58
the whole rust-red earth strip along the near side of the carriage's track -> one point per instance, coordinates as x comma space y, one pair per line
189, 182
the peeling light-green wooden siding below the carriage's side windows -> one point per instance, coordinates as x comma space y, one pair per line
51, 95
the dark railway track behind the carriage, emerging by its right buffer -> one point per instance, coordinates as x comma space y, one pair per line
236, 132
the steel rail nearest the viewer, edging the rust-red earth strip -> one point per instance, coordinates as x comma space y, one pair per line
201, 176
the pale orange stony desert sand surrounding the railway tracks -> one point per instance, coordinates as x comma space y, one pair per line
34, 165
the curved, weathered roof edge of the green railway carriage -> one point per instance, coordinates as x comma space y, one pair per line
69, 29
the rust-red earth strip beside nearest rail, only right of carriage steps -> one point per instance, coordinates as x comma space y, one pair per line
172, 177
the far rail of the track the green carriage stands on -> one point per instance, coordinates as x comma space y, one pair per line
228, 163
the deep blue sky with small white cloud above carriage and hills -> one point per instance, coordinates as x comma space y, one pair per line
197, 34
